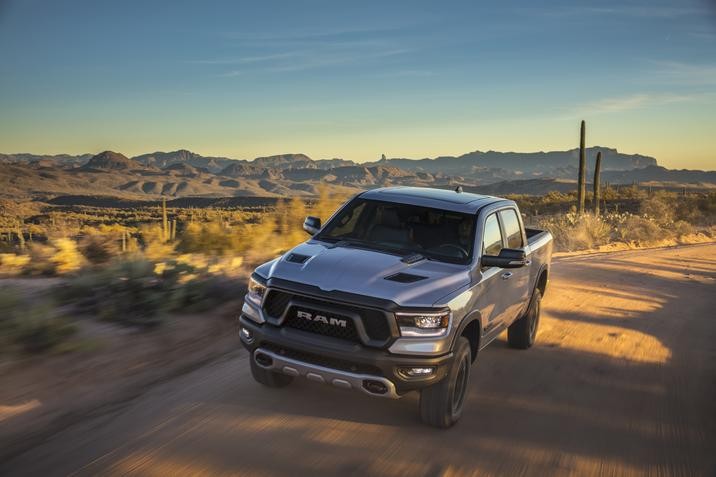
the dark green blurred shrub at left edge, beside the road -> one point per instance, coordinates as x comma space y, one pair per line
34, 327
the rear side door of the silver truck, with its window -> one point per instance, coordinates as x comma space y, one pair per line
516, 280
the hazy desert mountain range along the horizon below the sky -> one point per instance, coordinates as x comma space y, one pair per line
184, 173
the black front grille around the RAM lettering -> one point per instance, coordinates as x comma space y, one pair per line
375, 321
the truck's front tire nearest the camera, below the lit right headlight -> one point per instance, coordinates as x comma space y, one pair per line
441, 404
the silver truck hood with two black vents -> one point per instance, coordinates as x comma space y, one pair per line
364, 272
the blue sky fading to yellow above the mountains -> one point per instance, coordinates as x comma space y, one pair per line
357, 79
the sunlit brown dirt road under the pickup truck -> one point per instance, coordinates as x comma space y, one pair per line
621, 382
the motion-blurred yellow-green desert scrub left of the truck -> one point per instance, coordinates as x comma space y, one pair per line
133, 267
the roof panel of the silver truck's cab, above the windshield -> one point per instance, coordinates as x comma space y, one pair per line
435, 198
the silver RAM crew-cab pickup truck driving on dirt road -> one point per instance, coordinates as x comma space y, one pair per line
398, 291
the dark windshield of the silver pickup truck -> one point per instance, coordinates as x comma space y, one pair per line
405, 229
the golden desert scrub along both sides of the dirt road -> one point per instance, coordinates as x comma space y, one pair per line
136, 267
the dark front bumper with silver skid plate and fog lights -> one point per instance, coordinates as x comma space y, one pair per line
343, 364
